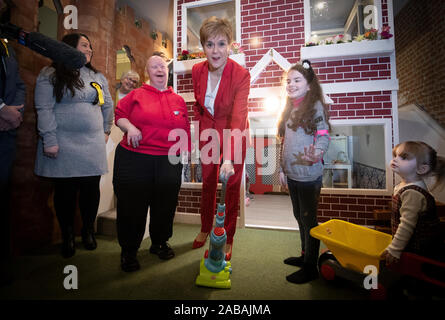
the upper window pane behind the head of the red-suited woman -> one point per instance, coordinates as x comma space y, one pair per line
195, 17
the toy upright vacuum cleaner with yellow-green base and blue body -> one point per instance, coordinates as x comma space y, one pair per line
214, 270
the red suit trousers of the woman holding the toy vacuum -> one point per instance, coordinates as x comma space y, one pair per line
210, 174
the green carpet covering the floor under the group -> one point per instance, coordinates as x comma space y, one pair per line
258, 272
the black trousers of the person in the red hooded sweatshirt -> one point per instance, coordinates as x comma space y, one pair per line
143, 181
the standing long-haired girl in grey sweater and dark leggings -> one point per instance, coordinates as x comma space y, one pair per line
304, 130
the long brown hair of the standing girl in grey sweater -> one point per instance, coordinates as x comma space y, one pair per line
304, 115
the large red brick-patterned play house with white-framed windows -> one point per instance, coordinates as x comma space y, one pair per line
351, 48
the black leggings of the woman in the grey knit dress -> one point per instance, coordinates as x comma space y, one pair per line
65, 200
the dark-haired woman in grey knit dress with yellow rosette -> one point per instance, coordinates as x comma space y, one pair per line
75, 114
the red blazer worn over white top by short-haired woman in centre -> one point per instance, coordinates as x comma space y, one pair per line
230, 108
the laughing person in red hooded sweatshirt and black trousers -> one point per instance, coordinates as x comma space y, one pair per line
144, 175
